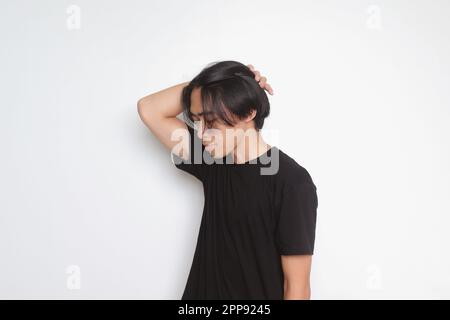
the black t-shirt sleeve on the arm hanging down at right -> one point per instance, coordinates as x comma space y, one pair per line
296, 228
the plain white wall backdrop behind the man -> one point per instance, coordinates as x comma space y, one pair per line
91, 204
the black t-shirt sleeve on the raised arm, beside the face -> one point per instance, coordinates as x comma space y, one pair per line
195, 164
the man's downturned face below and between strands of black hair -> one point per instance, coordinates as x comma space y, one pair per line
220, 139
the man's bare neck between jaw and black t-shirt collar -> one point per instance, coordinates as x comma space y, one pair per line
250, 148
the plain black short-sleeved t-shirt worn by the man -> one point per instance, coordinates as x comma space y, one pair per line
249, 220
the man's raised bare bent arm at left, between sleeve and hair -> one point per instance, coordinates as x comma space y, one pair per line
159, 110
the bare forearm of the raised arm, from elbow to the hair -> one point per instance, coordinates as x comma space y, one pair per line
165, 103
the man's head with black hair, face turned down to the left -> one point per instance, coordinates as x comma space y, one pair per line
225, 103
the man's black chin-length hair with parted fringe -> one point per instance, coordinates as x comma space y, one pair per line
227, 87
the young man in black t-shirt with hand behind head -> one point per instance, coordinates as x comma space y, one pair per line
257, 232
